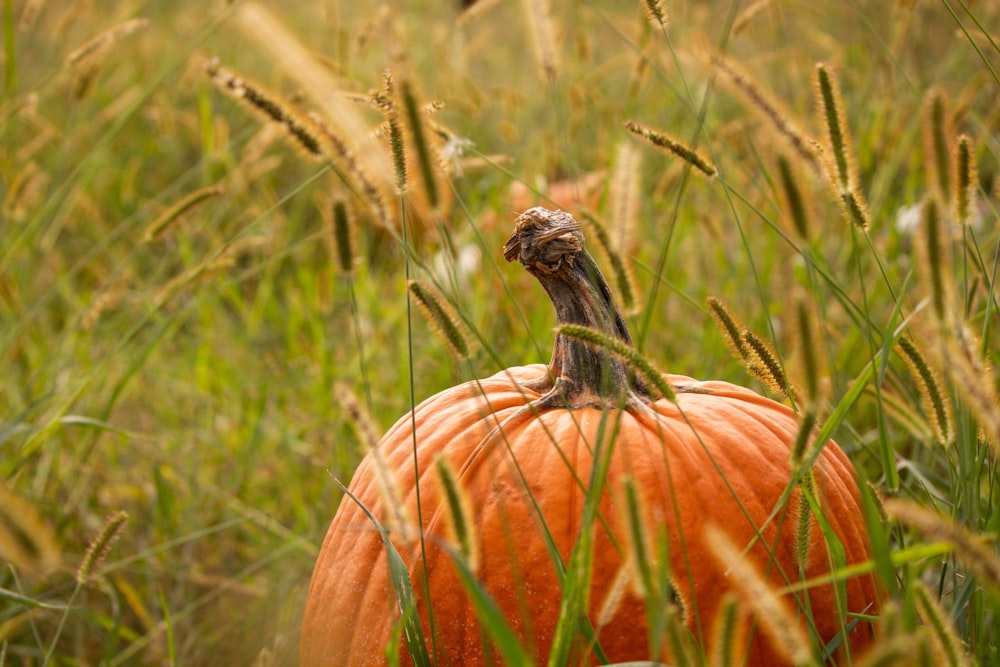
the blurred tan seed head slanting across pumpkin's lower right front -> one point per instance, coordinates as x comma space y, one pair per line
772, 612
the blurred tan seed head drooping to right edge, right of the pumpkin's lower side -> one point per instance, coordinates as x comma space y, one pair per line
977, 556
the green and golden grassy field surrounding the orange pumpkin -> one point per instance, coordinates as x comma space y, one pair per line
179, 315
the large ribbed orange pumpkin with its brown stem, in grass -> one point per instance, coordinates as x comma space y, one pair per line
524, 444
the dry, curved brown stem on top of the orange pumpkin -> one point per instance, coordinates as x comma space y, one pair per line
550, 245
